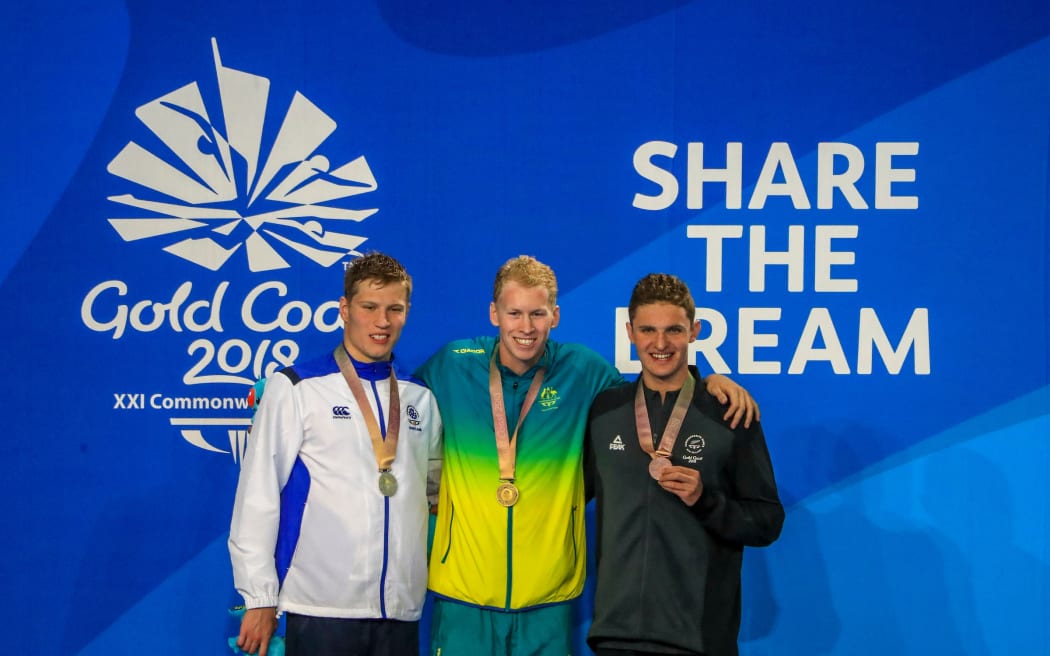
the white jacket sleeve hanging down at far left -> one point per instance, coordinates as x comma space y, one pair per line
274, 447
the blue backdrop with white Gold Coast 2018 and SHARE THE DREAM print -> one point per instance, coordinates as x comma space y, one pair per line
856, 193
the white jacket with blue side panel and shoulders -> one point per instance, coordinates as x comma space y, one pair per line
311, 533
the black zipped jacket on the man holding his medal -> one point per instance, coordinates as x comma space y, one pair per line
669, 575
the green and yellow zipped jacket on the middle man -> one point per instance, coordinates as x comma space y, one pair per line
532, 554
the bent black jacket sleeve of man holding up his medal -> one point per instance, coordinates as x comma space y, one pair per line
749, 512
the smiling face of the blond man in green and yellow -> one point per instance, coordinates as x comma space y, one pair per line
524, 316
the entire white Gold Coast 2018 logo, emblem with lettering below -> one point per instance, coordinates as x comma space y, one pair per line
216, 188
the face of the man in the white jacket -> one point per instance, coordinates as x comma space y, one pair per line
373, 319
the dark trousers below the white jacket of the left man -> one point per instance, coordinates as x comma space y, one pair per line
332, 637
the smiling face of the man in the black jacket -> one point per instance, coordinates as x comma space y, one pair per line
662, 333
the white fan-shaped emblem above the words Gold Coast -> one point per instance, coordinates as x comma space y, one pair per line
214, 191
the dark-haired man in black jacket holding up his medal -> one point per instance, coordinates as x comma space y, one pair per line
671, 538
